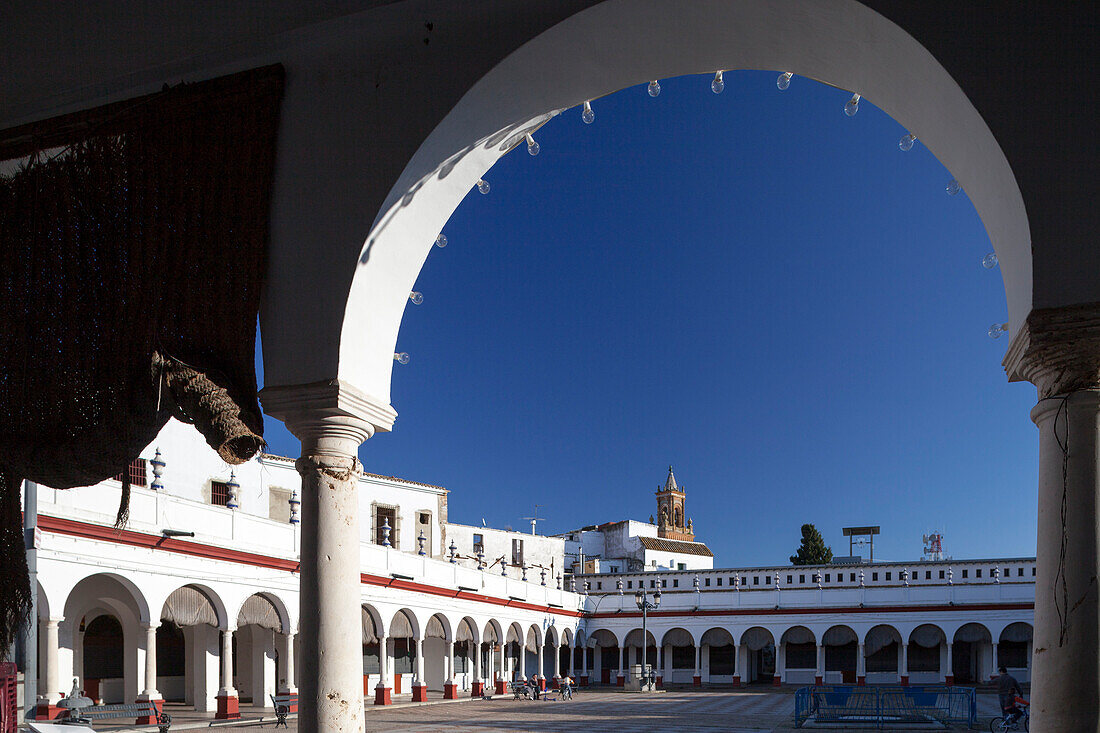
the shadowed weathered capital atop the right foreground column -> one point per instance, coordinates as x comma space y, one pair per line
1058, 351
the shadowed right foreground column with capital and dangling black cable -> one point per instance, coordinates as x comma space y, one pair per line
1059, 352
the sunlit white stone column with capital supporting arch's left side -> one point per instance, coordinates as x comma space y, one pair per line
333, 420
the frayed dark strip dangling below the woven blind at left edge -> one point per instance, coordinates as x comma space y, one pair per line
15, 579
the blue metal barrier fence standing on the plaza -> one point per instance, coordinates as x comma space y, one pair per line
834, 706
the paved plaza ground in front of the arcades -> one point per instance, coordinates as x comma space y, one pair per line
678, 712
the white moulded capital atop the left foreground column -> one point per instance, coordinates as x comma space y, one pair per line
328, 418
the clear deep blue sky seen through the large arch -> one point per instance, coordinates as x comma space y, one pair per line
752, 287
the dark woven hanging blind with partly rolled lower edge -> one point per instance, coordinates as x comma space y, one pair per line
133, 248
